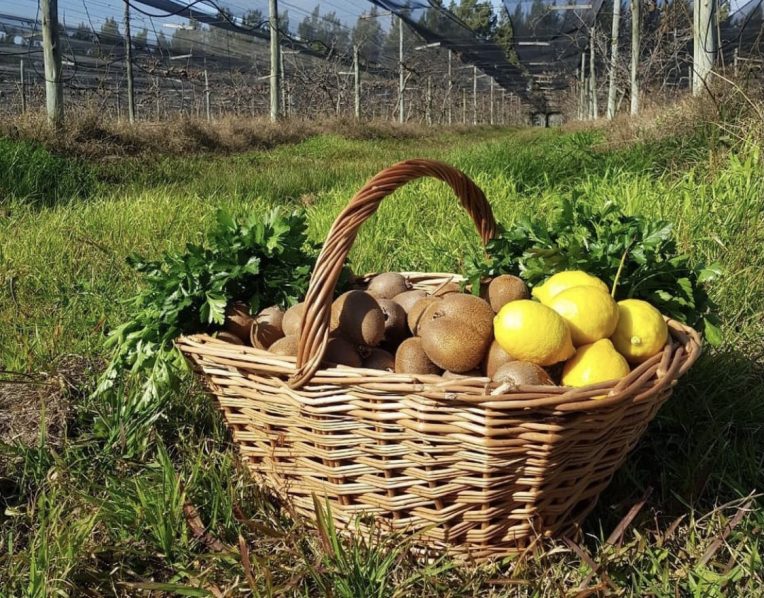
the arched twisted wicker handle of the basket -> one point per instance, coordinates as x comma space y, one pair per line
314, 333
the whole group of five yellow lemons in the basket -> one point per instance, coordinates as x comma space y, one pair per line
576, 320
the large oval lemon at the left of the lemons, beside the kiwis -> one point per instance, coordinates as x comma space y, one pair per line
529, 331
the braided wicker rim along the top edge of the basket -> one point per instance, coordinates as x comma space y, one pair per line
682, 350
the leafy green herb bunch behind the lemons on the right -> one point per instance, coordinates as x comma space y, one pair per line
636, 254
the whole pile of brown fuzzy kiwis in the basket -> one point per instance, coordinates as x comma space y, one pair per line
391, 326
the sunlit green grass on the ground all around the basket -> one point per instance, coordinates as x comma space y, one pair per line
103, 509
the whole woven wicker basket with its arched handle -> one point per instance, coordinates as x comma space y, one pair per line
473, 468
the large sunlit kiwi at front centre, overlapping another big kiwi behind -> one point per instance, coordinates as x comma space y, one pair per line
453, 344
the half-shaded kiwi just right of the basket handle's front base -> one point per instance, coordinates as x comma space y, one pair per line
356, 315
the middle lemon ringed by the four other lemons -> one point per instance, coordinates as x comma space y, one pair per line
591, 313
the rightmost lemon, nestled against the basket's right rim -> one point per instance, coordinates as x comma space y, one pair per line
641, 331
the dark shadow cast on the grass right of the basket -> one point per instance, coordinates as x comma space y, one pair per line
704, 448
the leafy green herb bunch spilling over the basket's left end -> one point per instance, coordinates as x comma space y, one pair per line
263, 260
